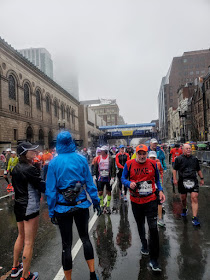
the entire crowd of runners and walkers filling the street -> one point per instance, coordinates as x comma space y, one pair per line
64, 175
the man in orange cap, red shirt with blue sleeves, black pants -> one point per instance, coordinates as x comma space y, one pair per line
140, 175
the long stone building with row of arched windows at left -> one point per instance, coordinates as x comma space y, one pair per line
32, 106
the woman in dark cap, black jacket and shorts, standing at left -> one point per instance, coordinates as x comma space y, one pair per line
28, 185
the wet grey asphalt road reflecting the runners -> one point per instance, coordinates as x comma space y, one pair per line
184, 250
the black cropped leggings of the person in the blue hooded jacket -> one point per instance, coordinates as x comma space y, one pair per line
65, 222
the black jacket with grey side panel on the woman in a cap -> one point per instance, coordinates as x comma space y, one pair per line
28, 185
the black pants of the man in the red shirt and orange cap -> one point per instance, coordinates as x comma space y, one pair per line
149, 210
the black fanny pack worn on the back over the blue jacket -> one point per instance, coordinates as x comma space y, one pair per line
71, 193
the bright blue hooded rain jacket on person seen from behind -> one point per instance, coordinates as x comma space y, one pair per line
68, 168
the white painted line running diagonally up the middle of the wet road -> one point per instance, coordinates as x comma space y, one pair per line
60, 275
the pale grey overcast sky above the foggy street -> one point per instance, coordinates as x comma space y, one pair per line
122, 48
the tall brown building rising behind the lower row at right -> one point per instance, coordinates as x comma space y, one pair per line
183, 69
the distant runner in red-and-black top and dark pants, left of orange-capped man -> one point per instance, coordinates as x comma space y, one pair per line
121, 159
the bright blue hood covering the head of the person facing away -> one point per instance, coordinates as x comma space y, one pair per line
65, 143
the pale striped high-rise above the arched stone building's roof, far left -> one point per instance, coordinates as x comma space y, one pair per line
41, 58
